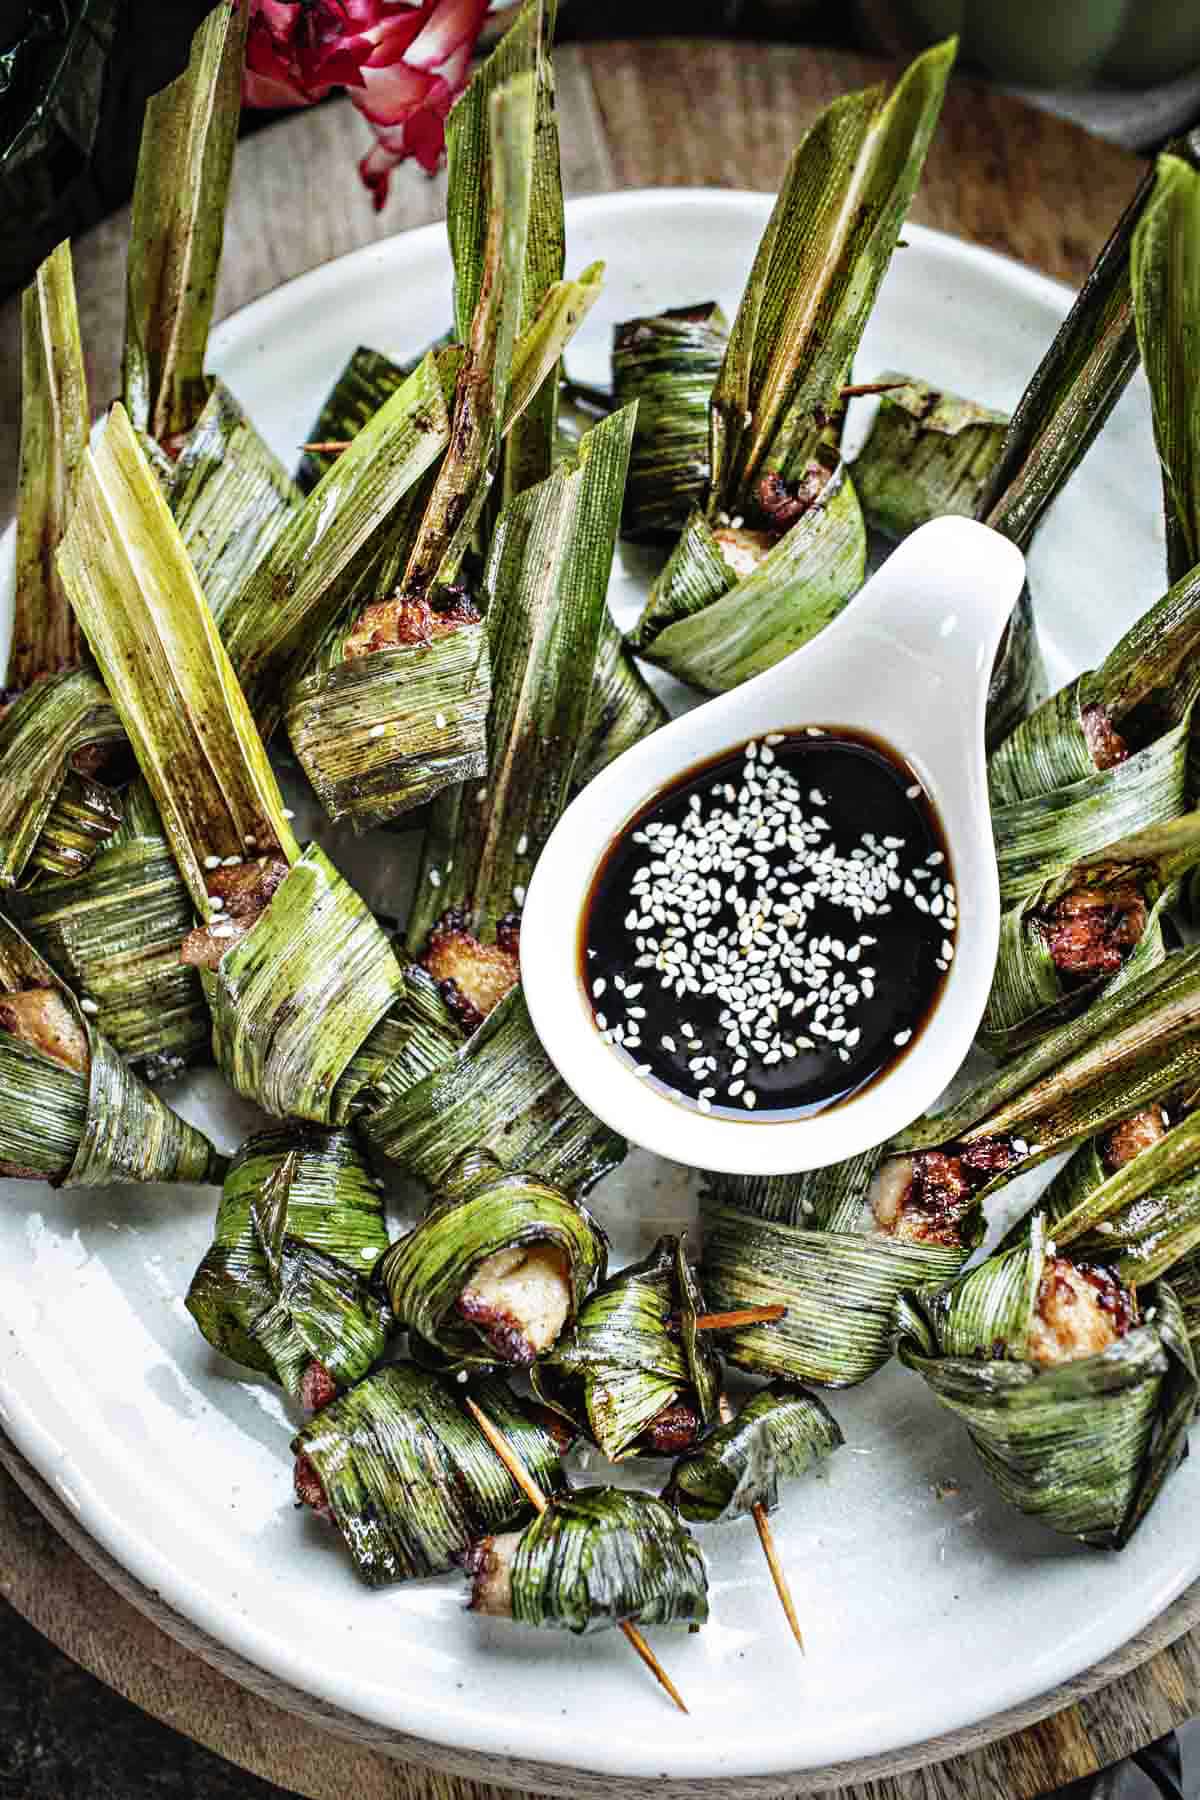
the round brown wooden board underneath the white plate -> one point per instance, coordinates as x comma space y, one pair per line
632, 116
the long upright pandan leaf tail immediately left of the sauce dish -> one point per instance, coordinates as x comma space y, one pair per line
548, 573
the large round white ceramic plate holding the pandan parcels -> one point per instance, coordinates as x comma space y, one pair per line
922, 1614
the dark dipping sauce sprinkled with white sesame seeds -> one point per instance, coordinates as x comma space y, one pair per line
775, 930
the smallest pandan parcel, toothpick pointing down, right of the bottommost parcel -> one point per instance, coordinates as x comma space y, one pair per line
778, 1435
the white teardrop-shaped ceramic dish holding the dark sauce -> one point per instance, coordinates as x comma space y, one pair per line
906, 665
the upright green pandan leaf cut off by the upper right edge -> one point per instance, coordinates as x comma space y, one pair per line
1167, 307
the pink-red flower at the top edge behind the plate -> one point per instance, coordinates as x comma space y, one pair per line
402, 64
